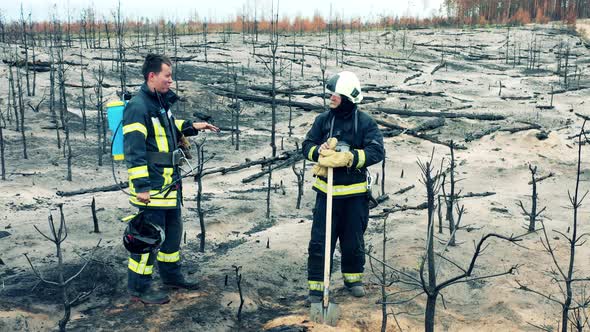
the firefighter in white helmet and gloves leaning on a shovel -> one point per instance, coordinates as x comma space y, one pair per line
349, 141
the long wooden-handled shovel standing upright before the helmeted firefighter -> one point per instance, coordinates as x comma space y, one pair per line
326, 312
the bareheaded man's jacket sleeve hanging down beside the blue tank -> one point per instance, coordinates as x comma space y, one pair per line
134, 138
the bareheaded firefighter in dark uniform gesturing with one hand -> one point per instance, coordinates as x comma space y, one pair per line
151, 141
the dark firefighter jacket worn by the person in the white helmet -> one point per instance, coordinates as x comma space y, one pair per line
358, 130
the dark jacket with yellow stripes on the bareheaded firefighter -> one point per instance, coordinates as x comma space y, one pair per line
149, 128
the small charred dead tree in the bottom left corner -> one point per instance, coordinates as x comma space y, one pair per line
58, 237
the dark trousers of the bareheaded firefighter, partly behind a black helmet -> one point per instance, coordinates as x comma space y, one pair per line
139, 273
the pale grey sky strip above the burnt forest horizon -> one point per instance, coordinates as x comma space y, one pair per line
222, 9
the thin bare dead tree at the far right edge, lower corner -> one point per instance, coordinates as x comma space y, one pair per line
573, 297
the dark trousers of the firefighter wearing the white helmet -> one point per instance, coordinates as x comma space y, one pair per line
350, 217
